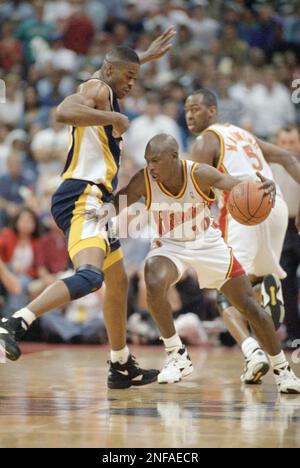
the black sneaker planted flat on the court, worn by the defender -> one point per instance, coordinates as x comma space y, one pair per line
129, 374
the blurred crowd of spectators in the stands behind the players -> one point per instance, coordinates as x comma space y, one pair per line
248, 52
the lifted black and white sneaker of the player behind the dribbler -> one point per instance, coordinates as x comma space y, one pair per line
272, 299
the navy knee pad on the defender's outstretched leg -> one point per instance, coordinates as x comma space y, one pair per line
86, 280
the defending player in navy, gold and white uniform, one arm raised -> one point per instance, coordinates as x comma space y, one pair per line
90, 177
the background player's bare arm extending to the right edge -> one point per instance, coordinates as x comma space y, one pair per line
274, 154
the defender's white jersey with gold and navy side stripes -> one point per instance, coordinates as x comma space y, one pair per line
94, 154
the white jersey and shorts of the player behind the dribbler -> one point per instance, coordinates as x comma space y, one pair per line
257, 248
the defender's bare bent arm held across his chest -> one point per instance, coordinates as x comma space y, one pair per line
90, 106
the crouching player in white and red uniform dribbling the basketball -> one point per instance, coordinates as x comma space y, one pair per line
178, 194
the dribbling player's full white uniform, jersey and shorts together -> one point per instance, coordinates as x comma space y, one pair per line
185, 233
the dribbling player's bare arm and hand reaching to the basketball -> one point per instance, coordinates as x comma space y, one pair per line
208, 177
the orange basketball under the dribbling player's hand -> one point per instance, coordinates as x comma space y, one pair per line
248, 204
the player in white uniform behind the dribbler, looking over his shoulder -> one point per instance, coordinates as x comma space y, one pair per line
234, 151
